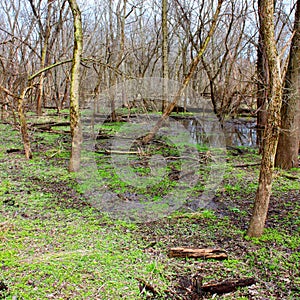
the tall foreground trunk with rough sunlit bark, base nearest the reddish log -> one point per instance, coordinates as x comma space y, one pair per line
271, 133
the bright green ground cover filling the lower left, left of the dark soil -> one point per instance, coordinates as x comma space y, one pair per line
51, 251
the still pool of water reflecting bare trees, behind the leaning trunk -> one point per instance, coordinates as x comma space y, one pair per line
237, 132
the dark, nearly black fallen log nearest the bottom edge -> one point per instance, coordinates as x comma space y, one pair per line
226, 286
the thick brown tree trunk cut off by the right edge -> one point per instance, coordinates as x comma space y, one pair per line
289, 138
